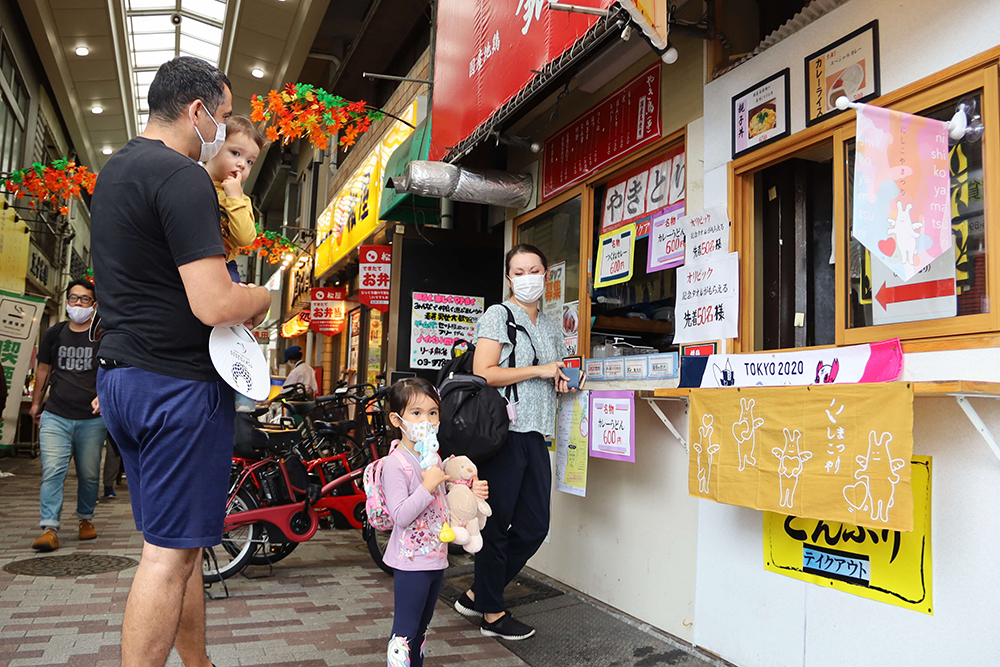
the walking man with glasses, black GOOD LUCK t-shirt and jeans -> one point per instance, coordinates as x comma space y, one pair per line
70, 425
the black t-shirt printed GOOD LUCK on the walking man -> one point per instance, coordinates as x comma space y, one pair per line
73, 357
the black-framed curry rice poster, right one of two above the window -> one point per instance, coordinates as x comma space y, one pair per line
849, 67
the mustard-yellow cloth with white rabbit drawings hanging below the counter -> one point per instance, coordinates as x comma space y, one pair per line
835, 453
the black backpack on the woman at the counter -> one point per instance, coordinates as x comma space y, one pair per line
474, 419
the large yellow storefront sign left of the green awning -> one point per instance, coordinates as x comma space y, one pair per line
353, 214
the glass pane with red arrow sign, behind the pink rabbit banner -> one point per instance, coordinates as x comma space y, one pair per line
877, 297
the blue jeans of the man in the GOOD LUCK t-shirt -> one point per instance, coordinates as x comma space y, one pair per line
61, 438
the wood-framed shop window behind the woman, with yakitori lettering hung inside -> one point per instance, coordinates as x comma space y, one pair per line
632, 317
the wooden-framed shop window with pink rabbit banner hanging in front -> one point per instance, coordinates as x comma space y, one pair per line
805, 281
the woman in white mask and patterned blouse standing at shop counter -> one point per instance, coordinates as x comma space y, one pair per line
519, 475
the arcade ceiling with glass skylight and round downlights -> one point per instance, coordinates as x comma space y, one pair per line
124, 38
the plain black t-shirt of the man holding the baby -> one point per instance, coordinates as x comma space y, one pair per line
153, 210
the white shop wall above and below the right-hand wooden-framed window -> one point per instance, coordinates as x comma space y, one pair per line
756, 618
